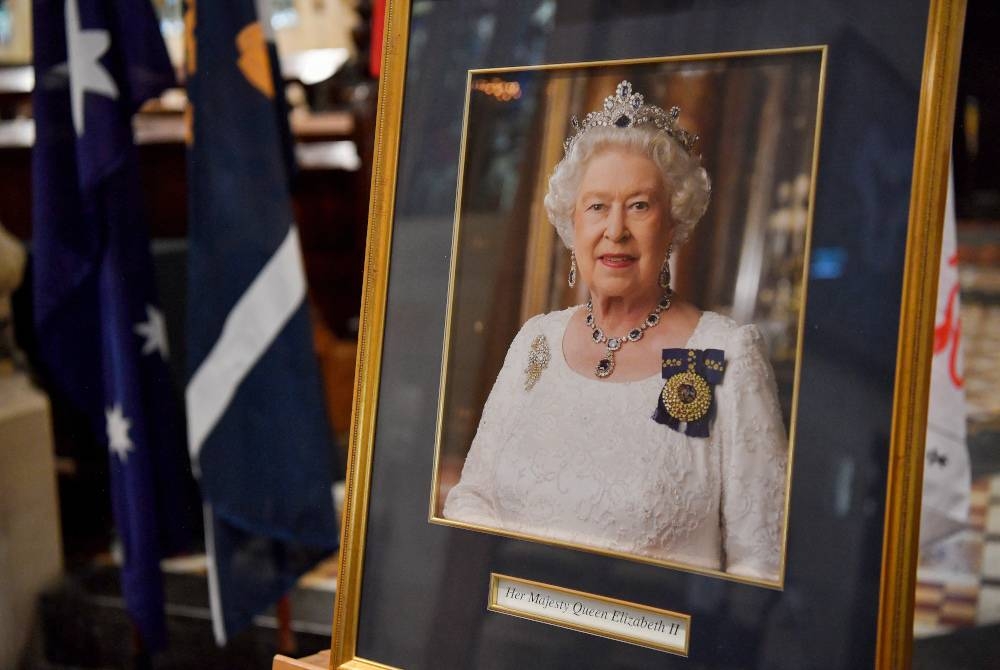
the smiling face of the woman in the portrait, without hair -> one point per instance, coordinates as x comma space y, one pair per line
621, 225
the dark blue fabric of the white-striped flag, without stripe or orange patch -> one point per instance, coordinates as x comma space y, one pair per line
266, 465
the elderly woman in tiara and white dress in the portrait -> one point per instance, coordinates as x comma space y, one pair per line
636, 423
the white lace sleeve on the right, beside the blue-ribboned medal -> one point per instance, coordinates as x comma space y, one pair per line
754, 460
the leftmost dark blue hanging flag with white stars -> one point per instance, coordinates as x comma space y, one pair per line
101, 335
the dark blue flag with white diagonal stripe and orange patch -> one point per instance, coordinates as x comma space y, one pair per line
257, 428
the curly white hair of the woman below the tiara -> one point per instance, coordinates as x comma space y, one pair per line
685, 180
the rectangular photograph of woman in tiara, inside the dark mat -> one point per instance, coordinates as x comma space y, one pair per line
643, 405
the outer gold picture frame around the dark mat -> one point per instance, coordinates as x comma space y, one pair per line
930, 149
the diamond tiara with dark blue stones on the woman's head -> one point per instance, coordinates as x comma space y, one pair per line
627, 109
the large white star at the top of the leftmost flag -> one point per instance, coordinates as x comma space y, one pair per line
84, 48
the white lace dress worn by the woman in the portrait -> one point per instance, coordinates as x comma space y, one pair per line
582, 461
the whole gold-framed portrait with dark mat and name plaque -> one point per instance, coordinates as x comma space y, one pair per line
644, 350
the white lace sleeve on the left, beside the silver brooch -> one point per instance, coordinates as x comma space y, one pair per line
473, 499
